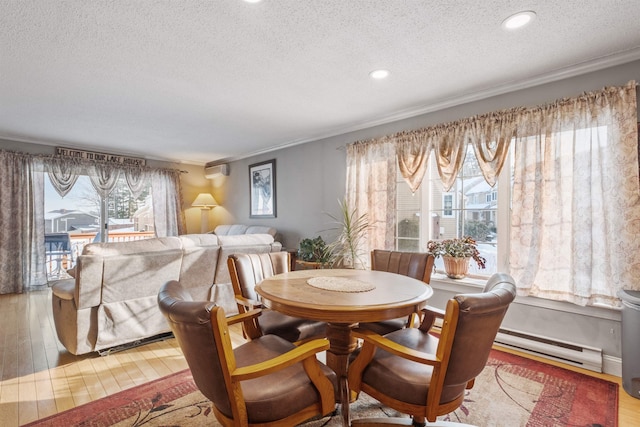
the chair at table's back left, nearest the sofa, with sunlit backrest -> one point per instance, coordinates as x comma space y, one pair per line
247, 270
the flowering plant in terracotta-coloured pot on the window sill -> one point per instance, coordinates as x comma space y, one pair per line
456, 254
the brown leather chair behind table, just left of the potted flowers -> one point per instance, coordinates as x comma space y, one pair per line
418, 265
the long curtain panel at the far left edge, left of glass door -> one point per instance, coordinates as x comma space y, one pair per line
21, 223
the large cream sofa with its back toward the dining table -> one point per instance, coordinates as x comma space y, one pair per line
112, 299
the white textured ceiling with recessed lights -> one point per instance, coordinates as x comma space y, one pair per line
198, 81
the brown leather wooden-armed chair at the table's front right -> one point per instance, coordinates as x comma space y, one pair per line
425, 375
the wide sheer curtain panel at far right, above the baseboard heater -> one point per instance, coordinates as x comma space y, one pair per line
576, 206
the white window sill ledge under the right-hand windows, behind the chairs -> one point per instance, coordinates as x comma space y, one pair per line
470, 284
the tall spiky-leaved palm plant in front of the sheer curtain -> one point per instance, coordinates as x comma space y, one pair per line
347, 248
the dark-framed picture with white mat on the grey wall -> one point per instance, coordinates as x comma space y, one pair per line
262, 190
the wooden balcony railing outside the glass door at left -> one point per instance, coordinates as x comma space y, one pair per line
59, 261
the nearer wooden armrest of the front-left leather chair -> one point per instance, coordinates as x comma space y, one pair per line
295, 355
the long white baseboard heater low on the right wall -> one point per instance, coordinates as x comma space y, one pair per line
572, 354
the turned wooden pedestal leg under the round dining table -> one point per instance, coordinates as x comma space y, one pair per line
341, 344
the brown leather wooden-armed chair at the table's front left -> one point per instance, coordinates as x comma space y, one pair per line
266, 381
